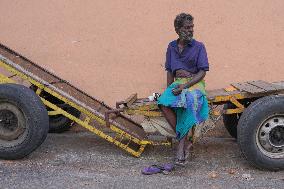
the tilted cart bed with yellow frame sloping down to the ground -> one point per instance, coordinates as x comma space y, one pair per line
129, 135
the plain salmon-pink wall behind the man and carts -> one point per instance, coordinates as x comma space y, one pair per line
114, 48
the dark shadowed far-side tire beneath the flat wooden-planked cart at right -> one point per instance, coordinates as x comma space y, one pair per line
231, 121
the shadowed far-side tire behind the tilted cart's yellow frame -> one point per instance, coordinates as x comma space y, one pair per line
61, 123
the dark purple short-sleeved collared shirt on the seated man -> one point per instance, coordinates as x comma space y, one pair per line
193, 58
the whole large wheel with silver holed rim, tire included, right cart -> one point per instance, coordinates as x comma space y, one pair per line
261, 133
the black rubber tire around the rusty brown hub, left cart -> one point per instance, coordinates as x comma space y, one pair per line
36, 117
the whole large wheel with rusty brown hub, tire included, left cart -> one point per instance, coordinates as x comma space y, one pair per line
23, 121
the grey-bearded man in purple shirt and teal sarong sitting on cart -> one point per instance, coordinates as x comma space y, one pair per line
184, 102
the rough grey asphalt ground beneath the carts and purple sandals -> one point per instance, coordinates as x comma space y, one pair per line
82, 160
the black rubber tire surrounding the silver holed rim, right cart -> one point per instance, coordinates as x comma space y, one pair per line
251, 119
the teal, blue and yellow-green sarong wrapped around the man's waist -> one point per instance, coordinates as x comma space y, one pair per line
191, 106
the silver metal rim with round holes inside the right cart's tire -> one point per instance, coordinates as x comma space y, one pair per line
270, 137
